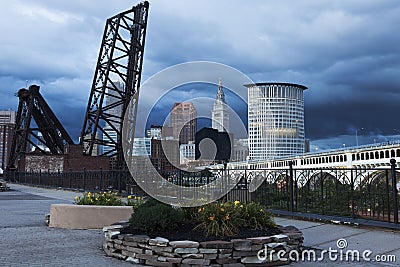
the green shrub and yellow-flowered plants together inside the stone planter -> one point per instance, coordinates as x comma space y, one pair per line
214, 219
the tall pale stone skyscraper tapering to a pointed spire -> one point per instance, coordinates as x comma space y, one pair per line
220, 112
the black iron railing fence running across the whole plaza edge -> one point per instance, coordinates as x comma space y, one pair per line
370, 193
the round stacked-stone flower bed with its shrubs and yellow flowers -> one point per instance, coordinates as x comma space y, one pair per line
221, 234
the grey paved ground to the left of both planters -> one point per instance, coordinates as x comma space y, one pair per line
25, 240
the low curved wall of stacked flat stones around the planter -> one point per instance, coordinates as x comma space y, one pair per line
238, 252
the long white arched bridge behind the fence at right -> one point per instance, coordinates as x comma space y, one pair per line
357, 166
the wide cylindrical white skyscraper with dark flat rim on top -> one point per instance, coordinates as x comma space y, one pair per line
275, 120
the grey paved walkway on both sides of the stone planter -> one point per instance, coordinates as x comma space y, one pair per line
26, 241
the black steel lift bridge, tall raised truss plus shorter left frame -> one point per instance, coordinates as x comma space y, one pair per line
119, 63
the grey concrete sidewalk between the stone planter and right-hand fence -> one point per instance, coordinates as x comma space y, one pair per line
320, 236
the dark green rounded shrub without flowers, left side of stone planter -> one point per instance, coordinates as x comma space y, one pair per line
154, 216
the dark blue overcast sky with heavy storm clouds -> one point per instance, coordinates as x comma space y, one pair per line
346, 52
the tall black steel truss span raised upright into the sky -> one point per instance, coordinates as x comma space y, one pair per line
115, 84
